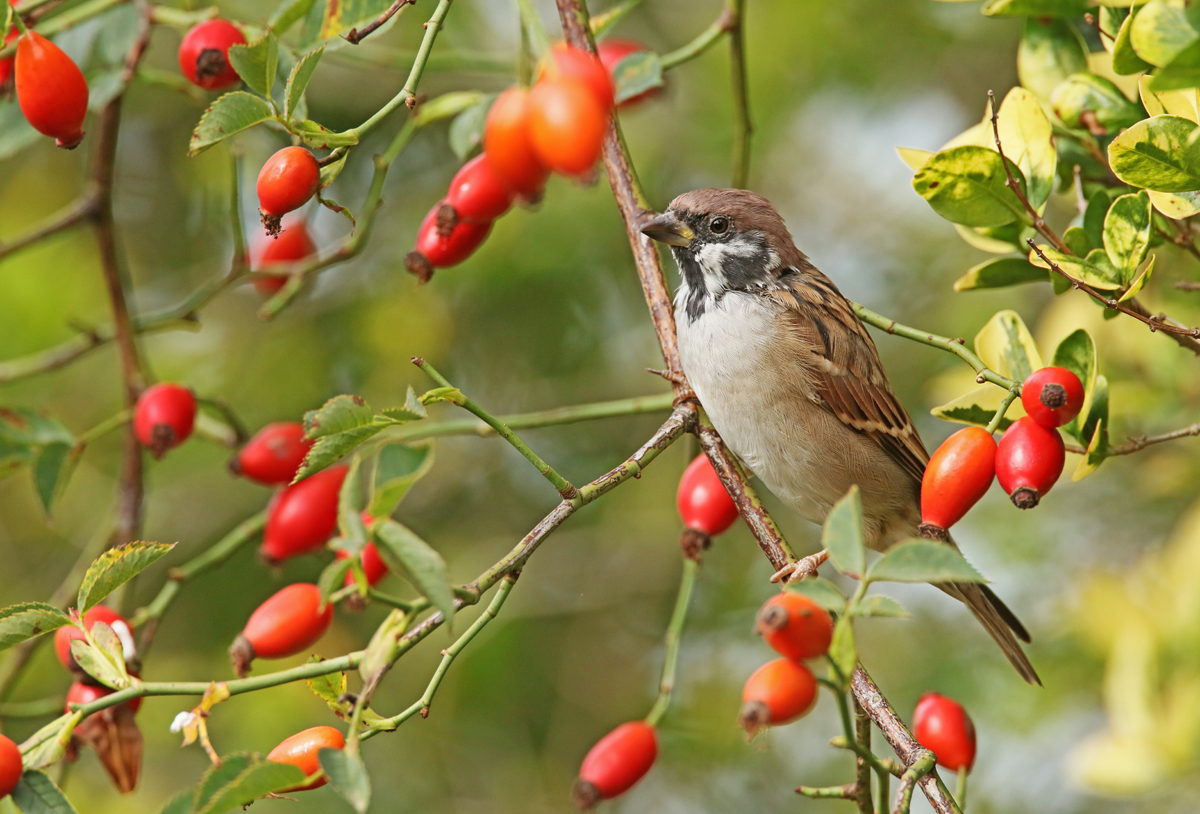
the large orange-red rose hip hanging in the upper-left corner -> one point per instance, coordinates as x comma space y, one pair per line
51, 91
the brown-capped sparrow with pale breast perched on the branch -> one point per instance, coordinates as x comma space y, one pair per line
794, 384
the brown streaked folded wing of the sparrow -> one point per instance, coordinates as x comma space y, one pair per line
847, 369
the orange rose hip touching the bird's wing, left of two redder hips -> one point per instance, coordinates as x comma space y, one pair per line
959, 474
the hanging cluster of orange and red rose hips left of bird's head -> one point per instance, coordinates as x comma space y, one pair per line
559, 125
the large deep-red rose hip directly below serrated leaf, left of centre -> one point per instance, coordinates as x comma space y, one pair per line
303, 517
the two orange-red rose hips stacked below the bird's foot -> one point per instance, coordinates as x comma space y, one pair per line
785, 690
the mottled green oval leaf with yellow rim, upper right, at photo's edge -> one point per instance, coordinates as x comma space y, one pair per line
1154, 154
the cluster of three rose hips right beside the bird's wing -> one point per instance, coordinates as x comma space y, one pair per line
1028, 462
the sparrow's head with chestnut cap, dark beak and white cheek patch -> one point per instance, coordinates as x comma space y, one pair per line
725, 241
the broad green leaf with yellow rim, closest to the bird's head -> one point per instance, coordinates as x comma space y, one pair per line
968, 185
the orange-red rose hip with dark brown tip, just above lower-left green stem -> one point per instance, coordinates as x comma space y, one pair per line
286, 625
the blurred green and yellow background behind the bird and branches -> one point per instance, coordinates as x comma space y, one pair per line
550, 314
